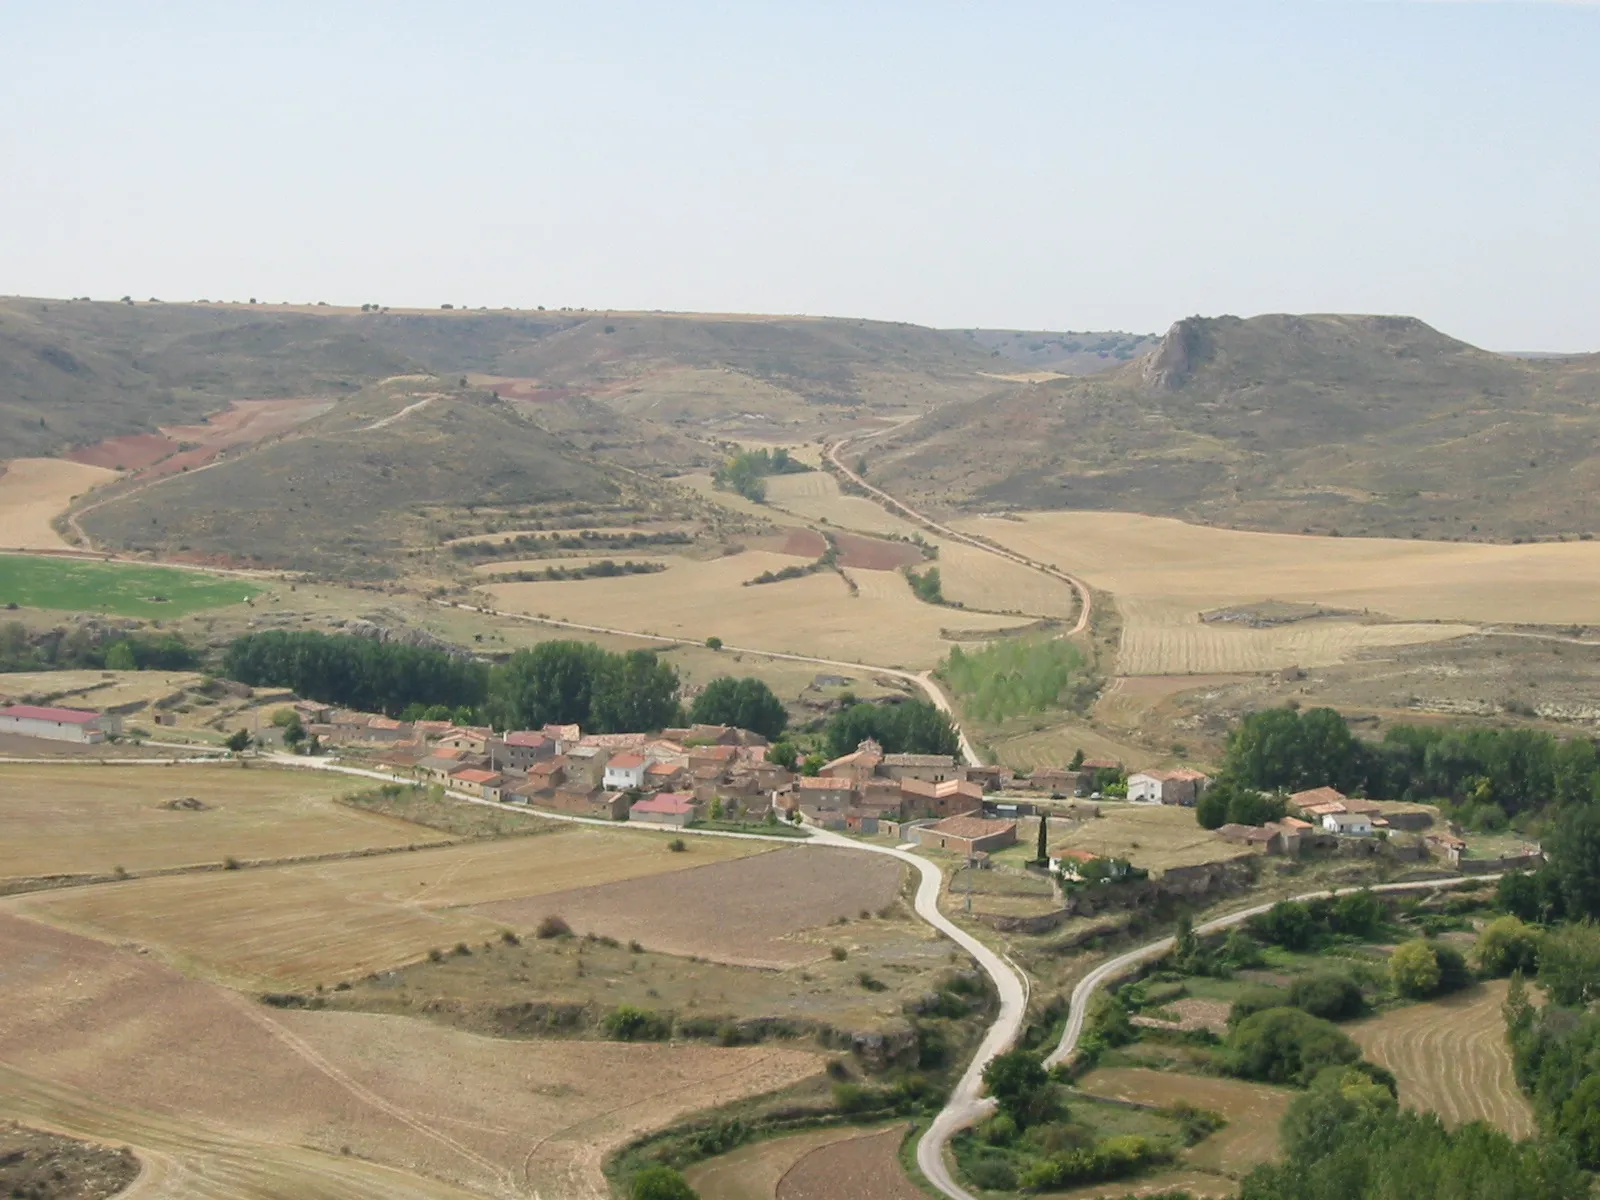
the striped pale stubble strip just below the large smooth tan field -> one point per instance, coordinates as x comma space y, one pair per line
1164, 638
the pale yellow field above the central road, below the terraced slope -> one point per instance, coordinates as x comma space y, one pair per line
814, 615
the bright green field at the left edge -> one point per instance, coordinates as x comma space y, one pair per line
122, 590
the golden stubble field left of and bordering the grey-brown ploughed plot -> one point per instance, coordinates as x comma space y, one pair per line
322, 922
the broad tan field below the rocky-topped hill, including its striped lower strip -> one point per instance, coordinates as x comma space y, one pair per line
1166, 574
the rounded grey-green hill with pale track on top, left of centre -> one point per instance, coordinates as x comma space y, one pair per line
396, 468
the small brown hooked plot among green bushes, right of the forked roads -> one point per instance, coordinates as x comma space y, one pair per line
1252, 1110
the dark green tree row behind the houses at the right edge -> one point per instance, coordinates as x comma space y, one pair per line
1508, 770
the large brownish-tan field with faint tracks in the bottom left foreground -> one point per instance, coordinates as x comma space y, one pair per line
233, 1098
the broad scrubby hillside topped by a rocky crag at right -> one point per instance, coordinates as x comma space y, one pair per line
1351, 425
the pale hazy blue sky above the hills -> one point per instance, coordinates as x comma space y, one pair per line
1041, 166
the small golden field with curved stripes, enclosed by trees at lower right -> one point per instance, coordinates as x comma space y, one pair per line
1450, 1057
